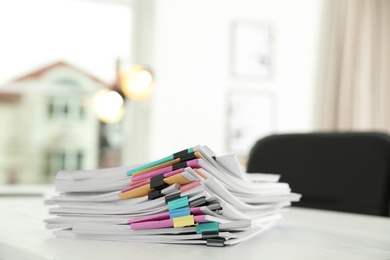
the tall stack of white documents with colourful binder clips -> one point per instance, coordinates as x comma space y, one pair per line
190, 197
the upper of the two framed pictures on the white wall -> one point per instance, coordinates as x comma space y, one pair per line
251, 50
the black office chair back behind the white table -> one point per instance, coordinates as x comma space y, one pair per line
347, 172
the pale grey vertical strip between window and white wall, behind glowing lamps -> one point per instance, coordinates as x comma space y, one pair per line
137, 121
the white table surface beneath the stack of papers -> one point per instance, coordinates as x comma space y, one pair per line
301, 234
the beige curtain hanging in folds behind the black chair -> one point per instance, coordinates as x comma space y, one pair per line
354, 75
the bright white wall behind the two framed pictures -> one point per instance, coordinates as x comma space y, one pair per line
191, 64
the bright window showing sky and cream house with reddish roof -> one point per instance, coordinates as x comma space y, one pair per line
91, 36
